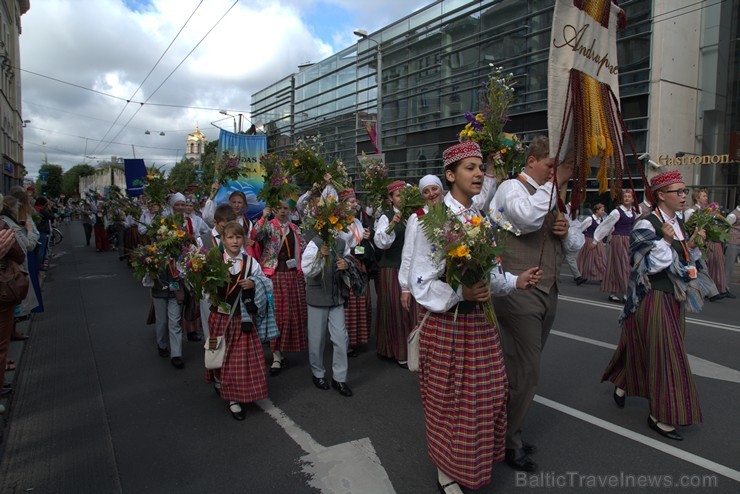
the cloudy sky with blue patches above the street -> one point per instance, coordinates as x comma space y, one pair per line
88, 65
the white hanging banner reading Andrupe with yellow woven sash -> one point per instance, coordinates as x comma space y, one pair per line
583, 93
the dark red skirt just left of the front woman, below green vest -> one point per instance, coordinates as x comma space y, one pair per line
393, 322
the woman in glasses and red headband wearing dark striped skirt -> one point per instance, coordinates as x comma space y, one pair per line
650, 360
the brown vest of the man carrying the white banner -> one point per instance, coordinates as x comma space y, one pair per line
523, 251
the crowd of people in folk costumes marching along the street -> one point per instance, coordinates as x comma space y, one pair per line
477, 376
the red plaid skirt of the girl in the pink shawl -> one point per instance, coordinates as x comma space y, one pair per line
291, 311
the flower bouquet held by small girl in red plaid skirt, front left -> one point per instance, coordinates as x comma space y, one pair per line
204, 270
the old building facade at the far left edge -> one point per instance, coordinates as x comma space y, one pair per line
11, 116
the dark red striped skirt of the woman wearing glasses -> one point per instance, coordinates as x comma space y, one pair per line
650, 360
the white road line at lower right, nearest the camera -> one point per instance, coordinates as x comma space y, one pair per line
647, 441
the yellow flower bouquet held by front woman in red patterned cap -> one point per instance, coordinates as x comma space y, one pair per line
468, 248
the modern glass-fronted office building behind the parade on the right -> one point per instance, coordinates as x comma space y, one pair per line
679, 62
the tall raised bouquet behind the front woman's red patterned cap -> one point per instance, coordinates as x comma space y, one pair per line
504, 152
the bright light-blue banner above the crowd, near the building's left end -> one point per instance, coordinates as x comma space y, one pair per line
249, 148
